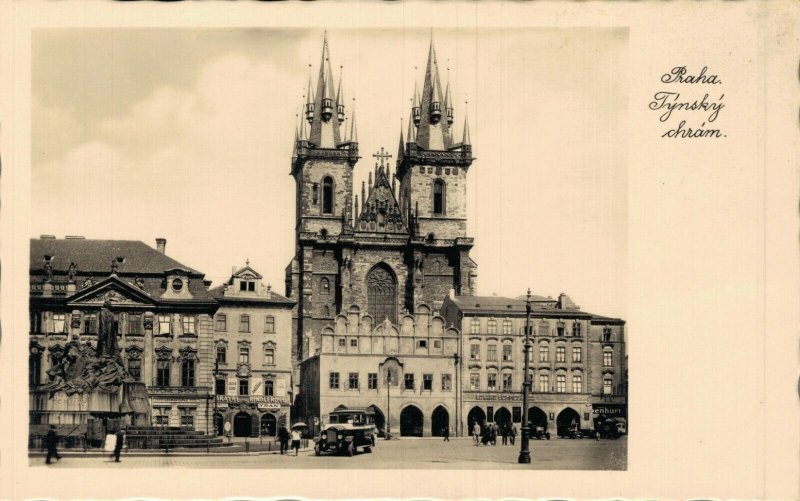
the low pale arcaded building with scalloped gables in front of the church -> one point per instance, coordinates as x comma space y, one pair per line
406, 372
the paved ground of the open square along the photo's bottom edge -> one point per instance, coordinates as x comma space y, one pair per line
408, 453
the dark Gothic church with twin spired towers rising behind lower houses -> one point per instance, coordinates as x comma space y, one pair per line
394, 247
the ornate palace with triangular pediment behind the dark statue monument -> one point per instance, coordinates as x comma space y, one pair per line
162, 308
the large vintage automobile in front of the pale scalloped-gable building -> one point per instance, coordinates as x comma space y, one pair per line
347, 430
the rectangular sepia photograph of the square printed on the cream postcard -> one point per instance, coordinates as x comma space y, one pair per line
352, 197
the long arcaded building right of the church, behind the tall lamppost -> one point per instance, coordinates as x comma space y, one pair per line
577, 362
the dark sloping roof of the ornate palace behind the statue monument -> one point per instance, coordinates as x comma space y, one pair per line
95, 256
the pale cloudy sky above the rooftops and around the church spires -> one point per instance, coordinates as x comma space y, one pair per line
187, 134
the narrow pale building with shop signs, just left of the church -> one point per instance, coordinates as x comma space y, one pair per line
252, 357
